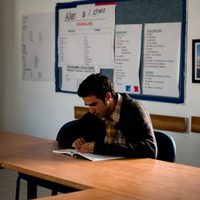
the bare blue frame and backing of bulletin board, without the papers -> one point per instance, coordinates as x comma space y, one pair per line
139, 12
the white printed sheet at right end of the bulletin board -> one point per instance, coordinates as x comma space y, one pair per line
161, 59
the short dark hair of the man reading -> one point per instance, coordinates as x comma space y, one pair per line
97, 85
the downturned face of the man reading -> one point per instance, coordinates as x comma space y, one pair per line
96, 106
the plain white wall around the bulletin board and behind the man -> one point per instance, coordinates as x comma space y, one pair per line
35, 108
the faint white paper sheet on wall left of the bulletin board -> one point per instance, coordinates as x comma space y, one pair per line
38, 50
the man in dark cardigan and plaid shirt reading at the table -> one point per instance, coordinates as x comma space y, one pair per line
115, 125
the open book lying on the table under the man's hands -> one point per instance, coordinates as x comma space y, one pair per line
88, 156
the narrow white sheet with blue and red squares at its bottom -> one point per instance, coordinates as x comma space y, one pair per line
127, 58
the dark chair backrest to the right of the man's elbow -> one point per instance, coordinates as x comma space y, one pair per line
166, 147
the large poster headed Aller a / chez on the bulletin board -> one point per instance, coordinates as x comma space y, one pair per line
85, 42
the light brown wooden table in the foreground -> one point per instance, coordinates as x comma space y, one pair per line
114, 179
